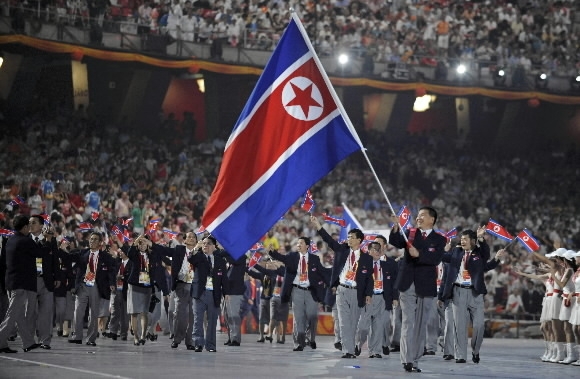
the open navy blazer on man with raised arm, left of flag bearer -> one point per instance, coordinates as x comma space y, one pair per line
364, 271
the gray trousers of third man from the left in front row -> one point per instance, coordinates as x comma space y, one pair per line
86, 296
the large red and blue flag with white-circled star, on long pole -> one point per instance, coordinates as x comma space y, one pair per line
291, 133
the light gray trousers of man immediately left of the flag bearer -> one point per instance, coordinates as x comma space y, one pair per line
371, 325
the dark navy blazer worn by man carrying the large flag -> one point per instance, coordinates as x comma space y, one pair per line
421, 271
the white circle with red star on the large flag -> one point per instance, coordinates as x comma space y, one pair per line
302, 99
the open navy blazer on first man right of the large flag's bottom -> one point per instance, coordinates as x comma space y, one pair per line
317, 274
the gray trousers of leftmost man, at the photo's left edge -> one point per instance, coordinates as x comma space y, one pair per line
16, 317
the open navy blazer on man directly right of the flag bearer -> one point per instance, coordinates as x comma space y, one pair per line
477, 264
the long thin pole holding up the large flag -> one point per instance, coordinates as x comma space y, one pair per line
343, 111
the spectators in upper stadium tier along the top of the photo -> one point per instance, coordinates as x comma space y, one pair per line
531, 34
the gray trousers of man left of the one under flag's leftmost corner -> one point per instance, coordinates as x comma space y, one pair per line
183, 316
